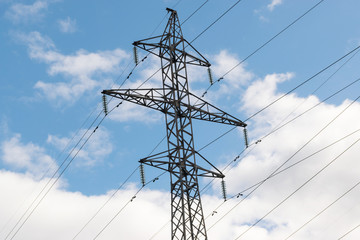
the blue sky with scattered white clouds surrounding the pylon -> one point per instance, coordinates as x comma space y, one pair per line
67, 171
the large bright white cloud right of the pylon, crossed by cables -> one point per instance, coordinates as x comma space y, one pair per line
279, 147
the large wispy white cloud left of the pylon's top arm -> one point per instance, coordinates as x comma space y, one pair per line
84, 70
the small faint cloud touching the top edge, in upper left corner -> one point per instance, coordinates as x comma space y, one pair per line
22, 13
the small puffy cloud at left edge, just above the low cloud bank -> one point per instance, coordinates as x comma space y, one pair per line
29, 157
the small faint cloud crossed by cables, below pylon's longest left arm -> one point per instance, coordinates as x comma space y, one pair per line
95, 151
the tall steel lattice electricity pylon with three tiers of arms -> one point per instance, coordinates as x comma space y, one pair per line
174, 100
